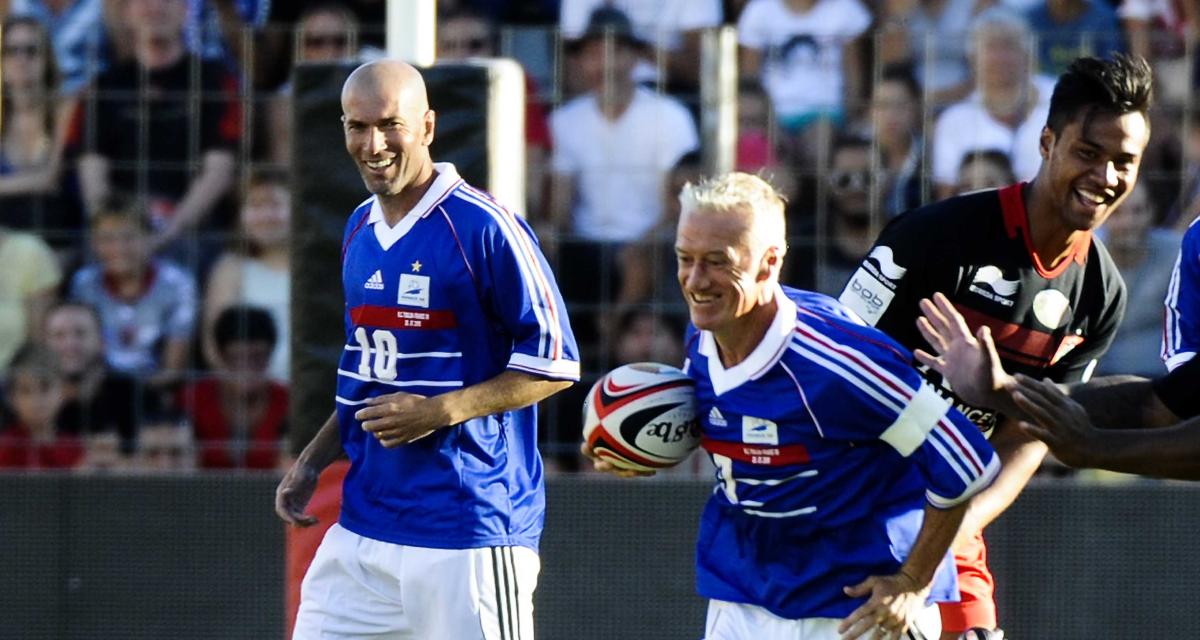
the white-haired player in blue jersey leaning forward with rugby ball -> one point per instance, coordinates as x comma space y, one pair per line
842, 475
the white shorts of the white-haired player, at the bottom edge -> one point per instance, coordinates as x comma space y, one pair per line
735, 621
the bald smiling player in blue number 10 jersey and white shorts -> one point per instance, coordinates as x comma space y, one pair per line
455, 330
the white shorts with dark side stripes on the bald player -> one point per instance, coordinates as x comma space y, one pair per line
359, 588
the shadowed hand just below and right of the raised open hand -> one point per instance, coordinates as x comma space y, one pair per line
1057, 421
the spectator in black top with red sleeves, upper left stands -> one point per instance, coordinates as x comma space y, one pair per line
164, 127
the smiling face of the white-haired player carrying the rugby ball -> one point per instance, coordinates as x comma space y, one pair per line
721, 273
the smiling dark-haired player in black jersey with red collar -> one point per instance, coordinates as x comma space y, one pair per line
1021, 261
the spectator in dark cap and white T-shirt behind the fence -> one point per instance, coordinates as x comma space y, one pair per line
614, 147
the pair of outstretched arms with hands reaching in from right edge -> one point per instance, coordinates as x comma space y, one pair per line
1119, 423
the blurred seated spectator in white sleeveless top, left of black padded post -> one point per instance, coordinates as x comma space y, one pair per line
257, 272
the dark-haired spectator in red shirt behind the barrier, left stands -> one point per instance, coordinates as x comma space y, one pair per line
239, 415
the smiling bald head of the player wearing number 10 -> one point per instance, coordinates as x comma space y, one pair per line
389, 129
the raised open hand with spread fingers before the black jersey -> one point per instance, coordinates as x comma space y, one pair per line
969, 363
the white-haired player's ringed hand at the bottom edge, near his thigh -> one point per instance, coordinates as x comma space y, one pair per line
893, 605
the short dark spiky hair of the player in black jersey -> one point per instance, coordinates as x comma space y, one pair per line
1118, 86
